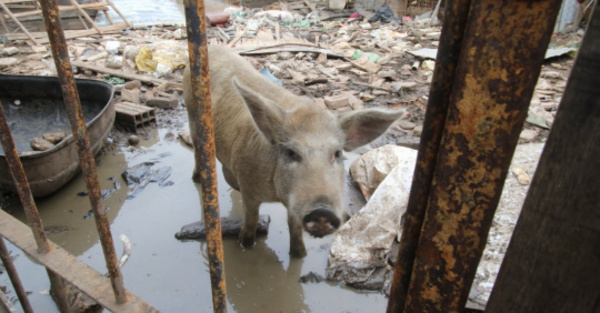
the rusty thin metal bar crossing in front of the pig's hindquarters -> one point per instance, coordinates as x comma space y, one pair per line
200, 111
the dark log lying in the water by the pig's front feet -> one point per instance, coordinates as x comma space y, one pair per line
230, 228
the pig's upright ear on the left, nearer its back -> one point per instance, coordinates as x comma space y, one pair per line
267, 115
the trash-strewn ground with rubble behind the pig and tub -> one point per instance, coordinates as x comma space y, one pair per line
342, 63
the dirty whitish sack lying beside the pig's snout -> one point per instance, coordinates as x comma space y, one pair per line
362, 244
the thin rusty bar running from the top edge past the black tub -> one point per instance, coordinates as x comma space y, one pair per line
86, 157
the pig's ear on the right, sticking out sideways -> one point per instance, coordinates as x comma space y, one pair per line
361, 127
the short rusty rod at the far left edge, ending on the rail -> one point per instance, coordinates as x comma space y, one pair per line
23, 190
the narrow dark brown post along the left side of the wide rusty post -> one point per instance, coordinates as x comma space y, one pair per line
439, 97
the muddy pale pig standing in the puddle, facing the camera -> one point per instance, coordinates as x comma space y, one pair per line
275, 146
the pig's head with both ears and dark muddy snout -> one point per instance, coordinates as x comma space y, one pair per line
308, 140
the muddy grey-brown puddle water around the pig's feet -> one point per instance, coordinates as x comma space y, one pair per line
173, 275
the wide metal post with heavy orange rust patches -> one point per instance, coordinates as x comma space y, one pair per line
501, 56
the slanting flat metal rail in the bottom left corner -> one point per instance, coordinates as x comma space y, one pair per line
90, 282
